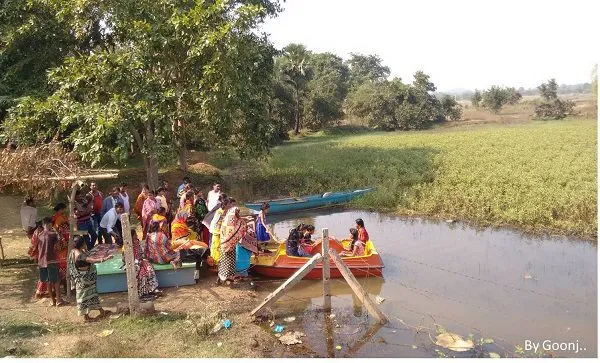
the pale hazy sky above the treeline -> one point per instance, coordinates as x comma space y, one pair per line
459, 43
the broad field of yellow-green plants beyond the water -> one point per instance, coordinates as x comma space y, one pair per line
539, 176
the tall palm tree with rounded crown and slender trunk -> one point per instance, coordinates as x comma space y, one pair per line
294, 66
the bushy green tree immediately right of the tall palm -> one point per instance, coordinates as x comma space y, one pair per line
326, 90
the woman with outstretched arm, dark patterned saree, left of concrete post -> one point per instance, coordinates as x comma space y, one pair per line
82, 269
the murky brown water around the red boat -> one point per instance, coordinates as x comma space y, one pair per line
494, 284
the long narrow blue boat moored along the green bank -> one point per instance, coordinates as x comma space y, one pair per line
307, 202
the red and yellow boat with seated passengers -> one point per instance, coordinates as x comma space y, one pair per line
278, 264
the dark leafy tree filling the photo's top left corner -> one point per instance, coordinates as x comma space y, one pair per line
36, 36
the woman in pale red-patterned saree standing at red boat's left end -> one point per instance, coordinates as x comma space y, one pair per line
232, 231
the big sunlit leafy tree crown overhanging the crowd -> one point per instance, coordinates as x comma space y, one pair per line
175, 66
